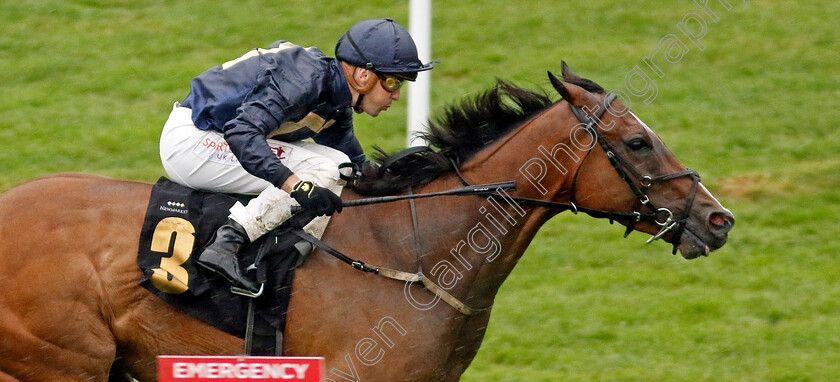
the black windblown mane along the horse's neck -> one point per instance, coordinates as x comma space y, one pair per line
461, 131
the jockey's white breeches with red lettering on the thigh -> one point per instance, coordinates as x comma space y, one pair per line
202, 160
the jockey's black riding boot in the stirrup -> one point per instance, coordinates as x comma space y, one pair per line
220, 256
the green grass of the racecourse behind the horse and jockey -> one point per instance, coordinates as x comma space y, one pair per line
87, 86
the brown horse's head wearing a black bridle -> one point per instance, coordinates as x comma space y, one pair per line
628, 168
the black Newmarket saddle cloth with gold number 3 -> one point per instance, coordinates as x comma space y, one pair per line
179, 223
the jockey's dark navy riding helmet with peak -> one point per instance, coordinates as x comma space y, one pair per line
383, 46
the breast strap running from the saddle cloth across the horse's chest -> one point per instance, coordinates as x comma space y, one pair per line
393, 274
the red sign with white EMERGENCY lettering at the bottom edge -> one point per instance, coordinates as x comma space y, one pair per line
195, 368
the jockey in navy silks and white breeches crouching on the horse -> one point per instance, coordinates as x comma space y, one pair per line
241, 129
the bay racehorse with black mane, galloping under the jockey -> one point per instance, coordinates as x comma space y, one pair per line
71, 308
